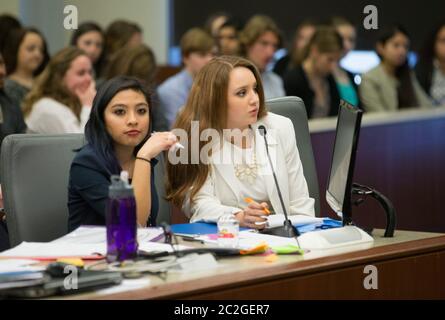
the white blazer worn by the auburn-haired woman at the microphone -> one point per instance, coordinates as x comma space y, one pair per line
221, 193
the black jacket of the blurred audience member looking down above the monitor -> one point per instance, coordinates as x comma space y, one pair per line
296, 83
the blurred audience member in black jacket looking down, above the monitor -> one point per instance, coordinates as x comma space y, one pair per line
313, 79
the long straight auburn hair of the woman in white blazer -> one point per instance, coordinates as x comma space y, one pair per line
207, 103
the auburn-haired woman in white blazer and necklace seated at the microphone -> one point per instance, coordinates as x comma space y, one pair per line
227, 97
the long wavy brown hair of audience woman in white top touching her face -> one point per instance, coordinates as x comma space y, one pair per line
50, 82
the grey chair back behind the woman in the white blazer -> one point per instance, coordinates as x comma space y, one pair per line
294, 109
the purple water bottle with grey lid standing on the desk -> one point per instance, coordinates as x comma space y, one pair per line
121, 220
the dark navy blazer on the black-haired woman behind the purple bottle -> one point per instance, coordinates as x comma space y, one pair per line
88, 190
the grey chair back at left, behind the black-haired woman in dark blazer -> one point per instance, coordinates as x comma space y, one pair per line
35, 172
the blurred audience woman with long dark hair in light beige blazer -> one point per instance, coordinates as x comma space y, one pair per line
392, 85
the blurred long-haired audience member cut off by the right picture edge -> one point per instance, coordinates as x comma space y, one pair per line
431, 66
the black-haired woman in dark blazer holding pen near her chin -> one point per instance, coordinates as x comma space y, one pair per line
118, 136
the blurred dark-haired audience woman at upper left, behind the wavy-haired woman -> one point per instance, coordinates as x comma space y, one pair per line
26, 55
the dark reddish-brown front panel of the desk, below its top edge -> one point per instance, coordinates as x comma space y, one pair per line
408, 278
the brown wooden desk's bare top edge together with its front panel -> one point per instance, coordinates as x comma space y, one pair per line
409, 266
